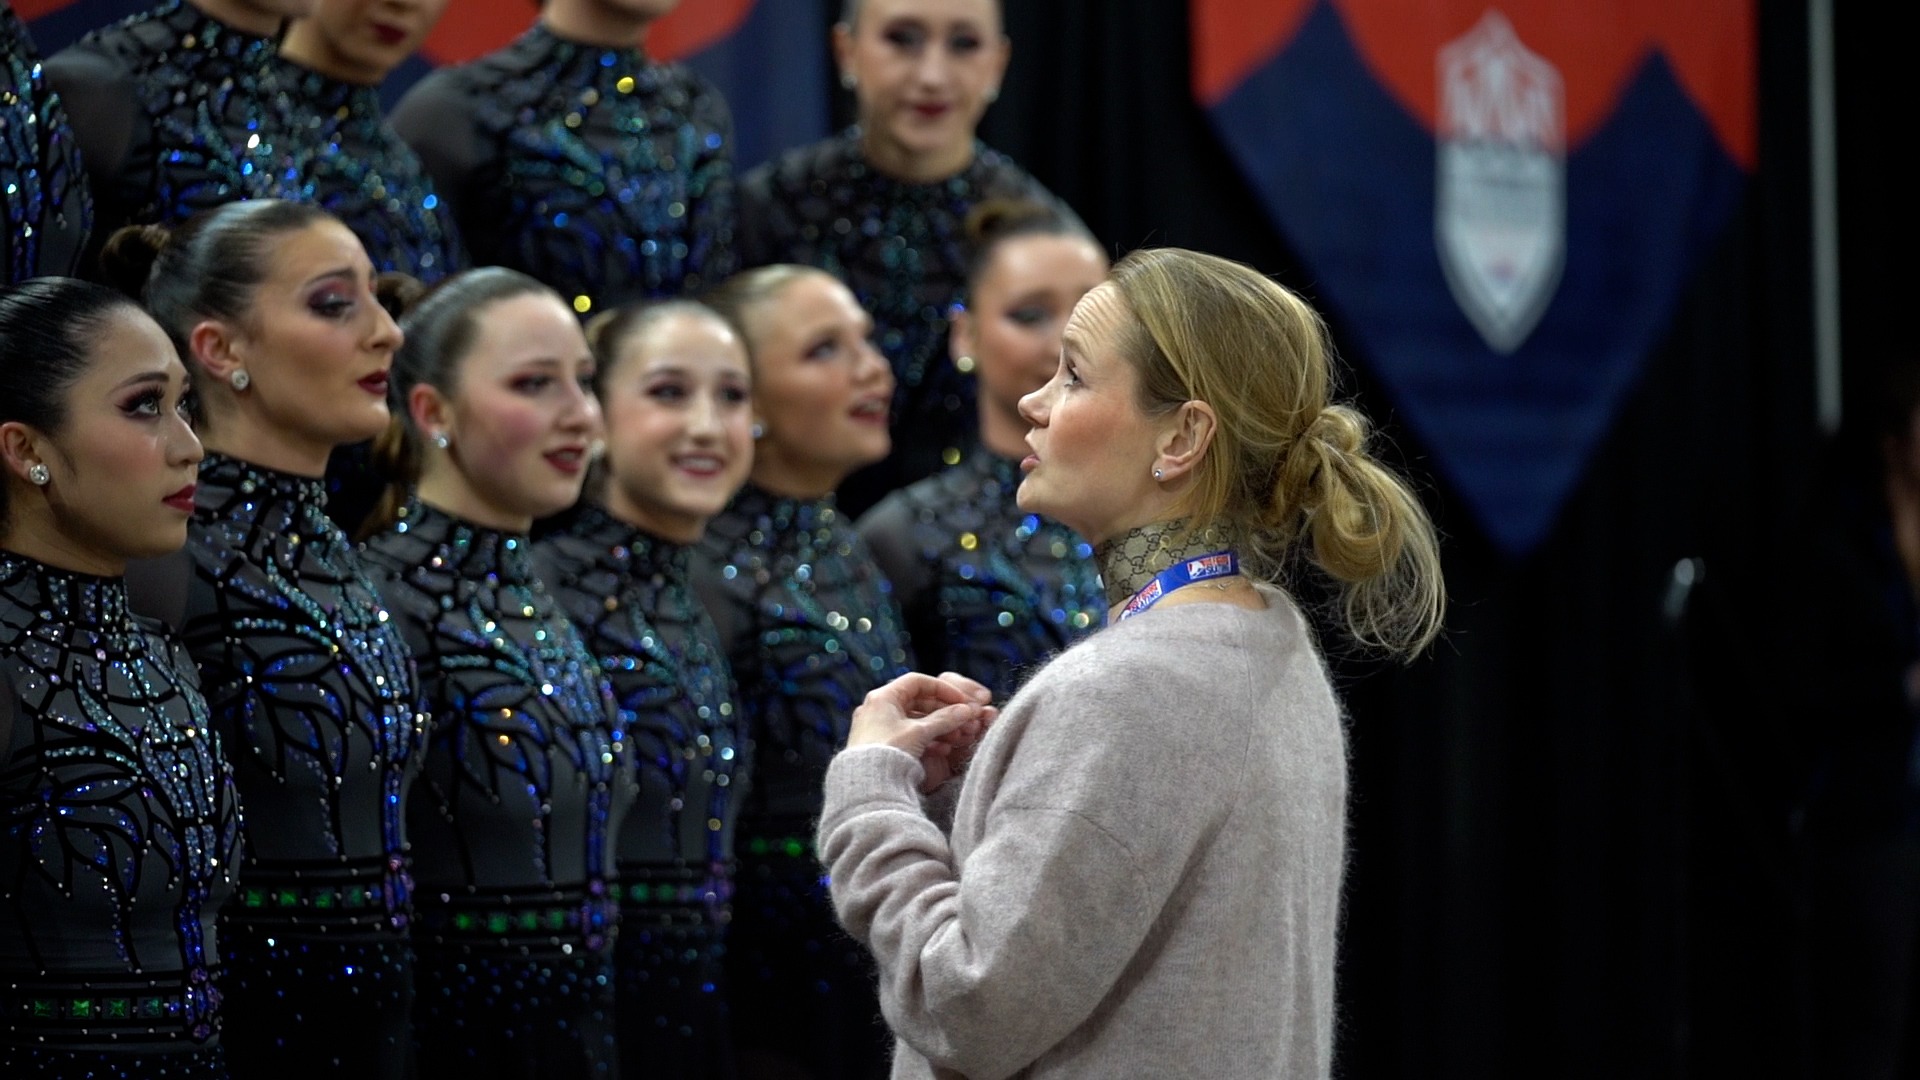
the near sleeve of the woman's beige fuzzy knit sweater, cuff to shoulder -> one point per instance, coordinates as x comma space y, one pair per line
1093, 808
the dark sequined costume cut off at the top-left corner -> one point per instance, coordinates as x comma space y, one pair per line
45, 209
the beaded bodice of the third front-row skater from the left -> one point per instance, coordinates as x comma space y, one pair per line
527, 775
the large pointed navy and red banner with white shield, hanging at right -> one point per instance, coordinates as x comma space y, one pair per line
1500, 203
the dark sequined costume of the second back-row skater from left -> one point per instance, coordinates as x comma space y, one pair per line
170, 114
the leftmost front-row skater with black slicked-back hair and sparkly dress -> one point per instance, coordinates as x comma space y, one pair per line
122, 822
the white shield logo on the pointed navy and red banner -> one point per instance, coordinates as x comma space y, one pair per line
1500, 212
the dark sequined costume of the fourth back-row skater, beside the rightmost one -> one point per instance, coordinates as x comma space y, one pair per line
594, 170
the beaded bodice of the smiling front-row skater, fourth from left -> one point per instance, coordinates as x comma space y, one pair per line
633, 599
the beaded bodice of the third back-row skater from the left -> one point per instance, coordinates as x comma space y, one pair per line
341, 155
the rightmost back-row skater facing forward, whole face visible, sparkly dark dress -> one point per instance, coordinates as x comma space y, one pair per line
886, 205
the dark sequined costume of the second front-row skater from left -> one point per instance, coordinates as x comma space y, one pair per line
314, 693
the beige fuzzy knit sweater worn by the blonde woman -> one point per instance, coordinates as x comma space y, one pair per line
1143, 873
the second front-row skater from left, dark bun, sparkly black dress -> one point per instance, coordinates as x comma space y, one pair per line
310, 681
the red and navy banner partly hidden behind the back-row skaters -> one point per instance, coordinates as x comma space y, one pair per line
767, 57
